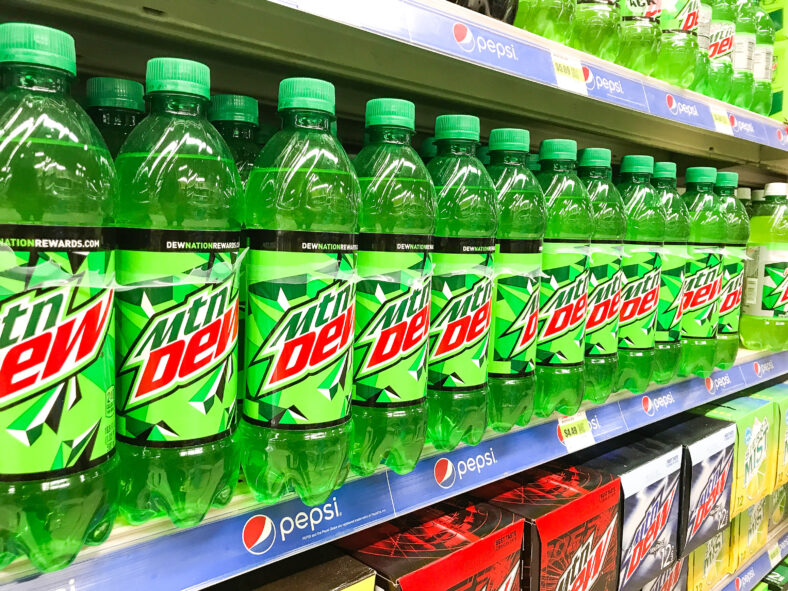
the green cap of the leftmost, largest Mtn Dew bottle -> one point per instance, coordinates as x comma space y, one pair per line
33, 44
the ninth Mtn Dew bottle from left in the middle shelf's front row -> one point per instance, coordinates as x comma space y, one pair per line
641, 268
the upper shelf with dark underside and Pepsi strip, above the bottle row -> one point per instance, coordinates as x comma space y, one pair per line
442, 56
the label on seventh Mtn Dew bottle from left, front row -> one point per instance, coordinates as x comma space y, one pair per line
563, 303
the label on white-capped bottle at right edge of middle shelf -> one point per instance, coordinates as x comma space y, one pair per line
766, 289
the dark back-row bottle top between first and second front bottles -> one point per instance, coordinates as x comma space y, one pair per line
116, 106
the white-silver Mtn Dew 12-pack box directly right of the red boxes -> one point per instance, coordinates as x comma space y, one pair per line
649, 472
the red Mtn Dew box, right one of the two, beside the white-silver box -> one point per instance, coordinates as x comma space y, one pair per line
571, 526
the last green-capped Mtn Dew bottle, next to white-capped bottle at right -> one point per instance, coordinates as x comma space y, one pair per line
737, 232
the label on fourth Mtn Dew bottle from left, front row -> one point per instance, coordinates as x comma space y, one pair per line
392, 319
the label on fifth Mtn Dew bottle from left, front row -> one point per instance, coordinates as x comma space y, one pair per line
461, 312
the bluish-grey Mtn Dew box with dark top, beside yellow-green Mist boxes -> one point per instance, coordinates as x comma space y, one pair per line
706, 476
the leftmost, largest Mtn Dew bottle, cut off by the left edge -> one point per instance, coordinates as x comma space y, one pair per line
58, 467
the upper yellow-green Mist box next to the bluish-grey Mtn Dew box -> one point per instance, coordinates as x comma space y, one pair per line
754, 449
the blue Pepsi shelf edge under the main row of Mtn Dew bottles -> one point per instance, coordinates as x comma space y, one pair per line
158, 557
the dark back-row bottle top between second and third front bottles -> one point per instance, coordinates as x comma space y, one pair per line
235, 117
